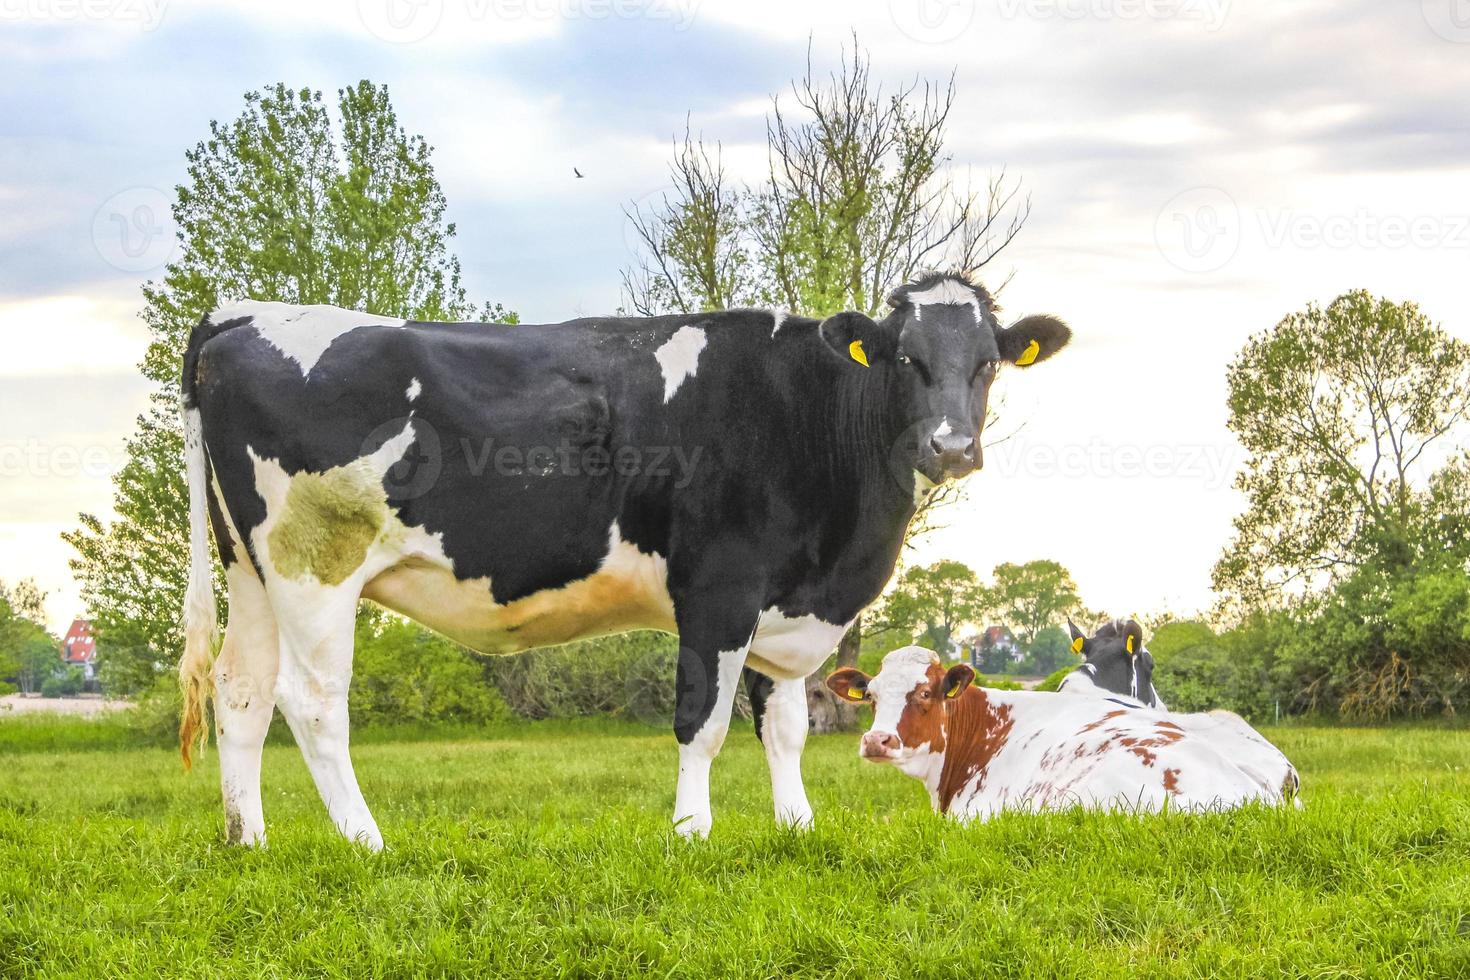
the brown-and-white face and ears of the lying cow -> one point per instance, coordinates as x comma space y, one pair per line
911, 699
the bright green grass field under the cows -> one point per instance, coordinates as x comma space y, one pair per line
546, 850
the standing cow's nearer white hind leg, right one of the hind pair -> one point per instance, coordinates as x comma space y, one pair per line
317, 669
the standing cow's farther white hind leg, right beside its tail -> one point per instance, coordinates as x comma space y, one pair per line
245, 702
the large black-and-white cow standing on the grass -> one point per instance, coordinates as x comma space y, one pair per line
742, 478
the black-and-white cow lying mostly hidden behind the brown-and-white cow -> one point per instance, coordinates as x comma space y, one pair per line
1118, 665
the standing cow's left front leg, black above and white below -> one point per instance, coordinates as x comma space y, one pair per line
711, 662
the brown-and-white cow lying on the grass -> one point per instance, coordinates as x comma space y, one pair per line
981, 752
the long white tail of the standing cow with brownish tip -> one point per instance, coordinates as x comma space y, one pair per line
201, 615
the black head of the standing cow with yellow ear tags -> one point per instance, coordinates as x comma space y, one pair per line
944, 346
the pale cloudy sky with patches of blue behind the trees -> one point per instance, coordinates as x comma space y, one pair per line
1197, 168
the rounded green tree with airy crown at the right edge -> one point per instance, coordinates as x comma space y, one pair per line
1349, 414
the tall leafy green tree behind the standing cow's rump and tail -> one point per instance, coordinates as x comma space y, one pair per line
283, 205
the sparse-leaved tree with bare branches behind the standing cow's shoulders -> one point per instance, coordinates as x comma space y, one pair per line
858, 199
